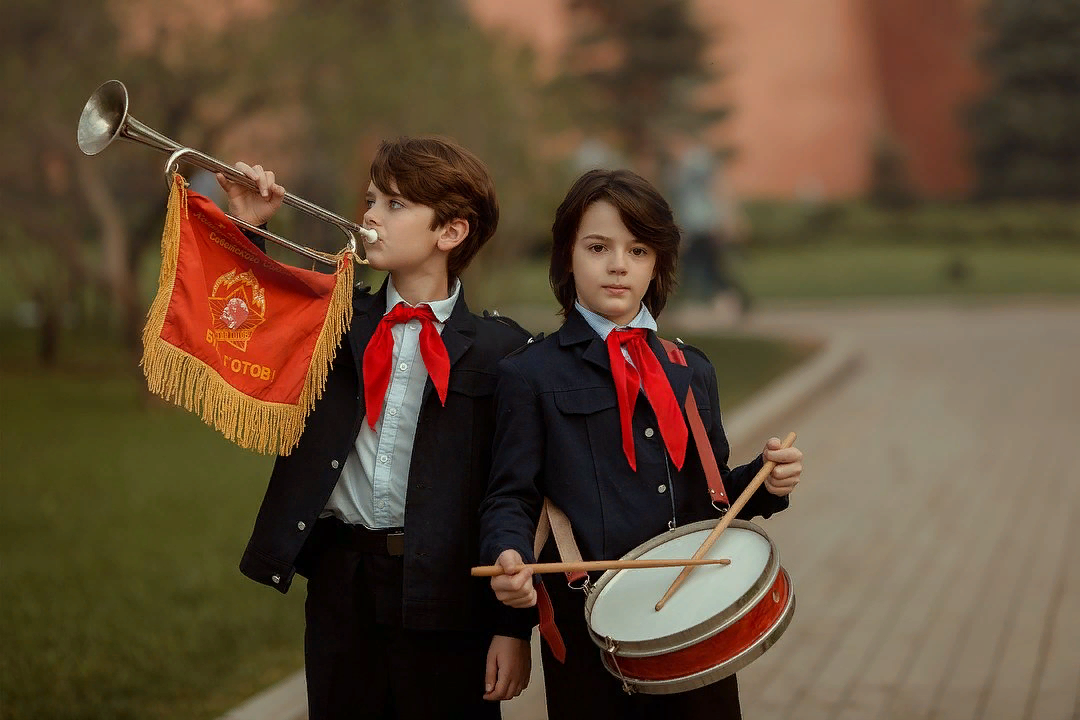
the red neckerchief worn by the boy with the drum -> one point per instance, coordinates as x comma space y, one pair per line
645, 372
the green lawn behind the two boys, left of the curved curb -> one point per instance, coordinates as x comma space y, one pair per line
121, 525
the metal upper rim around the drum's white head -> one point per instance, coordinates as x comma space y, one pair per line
703, 631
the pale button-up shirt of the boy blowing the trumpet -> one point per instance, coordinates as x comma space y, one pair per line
372, 488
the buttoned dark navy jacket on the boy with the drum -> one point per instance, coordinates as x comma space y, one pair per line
559, 437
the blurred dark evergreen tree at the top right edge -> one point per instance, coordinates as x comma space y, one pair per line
1025, 127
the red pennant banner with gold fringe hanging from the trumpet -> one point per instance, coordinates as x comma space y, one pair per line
237, 337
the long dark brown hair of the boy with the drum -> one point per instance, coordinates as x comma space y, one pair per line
642, 209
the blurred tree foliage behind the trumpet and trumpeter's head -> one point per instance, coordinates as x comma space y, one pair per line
305, 87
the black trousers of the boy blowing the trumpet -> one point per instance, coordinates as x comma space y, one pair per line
361, 664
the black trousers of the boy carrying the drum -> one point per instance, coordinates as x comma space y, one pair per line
583, 688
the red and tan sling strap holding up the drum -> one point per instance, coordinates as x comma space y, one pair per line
553, 522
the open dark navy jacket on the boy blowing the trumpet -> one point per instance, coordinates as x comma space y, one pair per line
448, 476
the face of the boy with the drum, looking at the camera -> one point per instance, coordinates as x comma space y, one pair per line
612, 268
